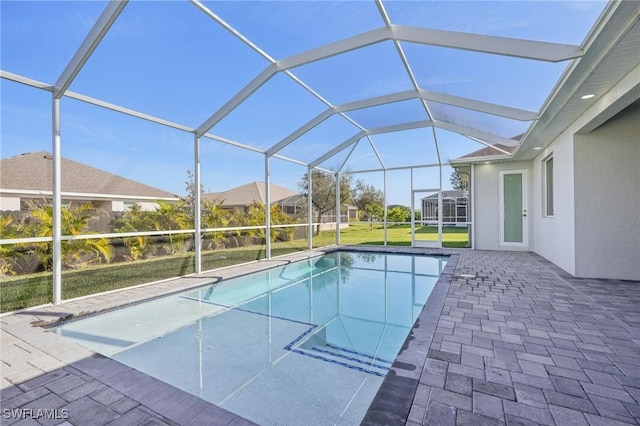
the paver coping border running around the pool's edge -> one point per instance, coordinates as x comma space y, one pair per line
392, 401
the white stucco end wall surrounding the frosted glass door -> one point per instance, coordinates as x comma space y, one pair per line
486, 216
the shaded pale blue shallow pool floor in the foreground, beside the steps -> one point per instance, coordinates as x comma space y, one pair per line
237, 366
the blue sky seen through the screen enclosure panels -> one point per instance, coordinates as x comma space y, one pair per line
170, 60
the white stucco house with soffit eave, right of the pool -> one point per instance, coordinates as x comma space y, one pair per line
571, 191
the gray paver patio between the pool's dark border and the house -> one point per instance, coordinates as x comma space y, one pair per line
523, 342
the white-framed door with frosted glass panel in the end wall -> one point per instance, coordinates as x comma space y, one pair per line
514, 220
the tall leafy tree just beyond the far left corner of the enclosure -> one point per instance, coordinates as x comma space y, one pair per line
323, 193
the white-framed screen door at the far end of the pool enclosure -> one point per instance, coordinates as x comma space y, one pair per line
426, 220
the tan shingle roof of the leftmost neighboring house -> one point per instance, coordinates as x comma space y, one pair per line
33, 172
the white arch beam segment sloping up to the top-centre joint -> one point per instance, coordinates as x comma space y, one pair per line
345, 45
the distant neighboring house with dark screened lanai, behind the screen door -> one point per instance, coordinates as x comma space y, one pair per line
454, 208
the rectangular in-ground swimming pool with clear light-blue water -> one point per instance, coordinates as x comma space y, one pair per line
310, 341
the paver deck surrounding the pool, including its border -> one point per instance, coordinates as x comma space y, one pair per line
516, 340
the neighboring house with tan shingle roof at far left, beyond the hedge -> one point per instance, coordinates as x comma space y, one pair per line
29, 177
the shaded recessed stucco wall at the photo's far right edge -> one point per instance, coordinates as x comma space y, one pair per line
607, 199
